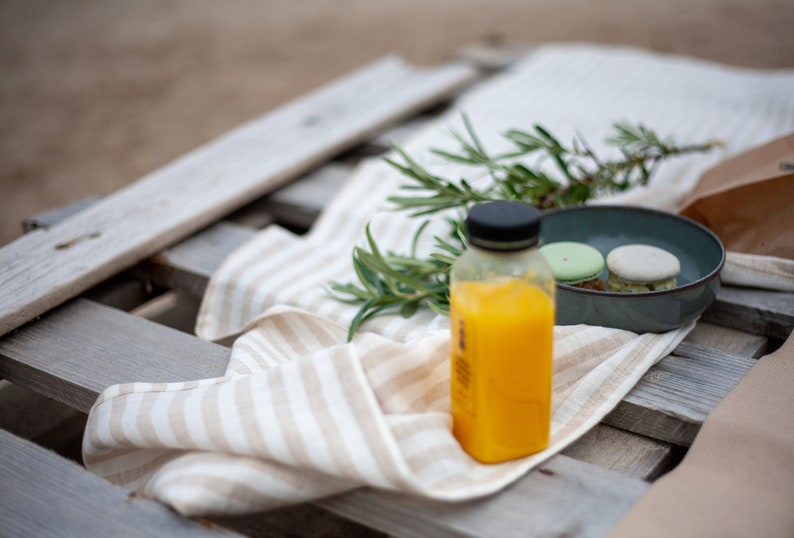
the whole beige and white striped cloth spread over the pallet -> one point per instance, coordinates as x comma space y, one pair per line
302, 414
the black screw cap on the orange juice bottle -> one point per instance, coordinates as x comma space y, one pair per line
503, 225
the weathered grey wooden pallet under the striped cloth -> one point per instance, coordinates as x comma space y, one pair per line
96, 294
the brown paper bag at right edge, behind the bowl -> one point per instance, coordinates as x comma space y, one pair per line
748, 200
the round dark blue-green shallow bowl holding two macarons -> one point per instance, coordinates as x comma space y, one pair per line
605, 227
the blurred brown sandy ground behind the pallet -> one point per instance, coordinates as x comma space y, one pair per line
94, 94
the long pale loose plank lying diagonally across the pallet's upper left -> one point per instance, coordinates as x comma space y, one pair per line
46, 267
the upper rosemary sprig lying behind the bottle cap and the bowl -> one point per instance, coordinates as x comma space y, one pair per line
580, 173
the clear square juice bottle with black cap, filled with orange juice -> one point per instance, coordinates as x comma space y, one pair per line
501, 322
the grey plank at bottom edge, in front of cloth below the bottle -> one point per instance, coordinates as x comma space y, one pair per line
564, 497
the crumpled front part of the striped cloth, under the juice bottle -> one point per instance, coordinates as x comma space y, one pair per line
373, 412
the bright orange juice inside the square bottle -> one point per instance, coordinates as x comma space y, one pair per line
501, 367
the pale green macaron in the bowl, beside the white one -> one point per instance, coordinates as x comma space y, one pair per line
574, 264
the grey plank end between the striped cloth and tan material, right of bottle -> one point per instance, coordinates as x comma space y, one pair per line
672, 400
